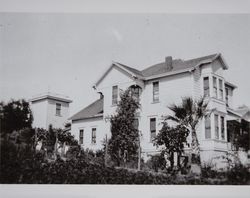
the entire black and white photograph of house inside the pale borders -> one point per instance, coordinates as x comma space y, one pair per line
125, 98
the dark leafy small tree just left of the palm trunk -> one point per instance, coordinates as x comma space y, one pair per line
173, 140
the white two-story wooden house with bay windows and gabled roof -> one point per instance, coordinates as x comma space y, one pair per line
157, 87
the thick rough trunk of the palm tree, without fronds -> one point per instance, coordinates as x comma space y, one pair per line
195, 157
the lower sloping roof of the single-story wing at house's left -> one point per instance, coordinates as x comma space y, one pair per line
95, 109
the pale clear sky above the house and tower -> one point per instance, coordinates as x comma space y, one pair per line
67, 53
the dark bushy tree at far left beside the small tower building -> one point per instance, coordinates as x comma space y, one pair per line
15, 115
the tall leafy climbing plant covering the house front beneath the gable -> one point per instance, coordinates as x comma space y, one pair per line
123, 144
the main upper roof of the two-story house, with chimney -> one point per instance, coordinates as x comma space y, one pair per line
160, 69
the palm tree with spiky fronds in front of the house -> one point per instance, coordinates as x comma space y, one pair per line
188, 114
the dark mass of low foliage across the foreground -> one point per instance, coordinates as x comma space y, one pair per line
26, 167
